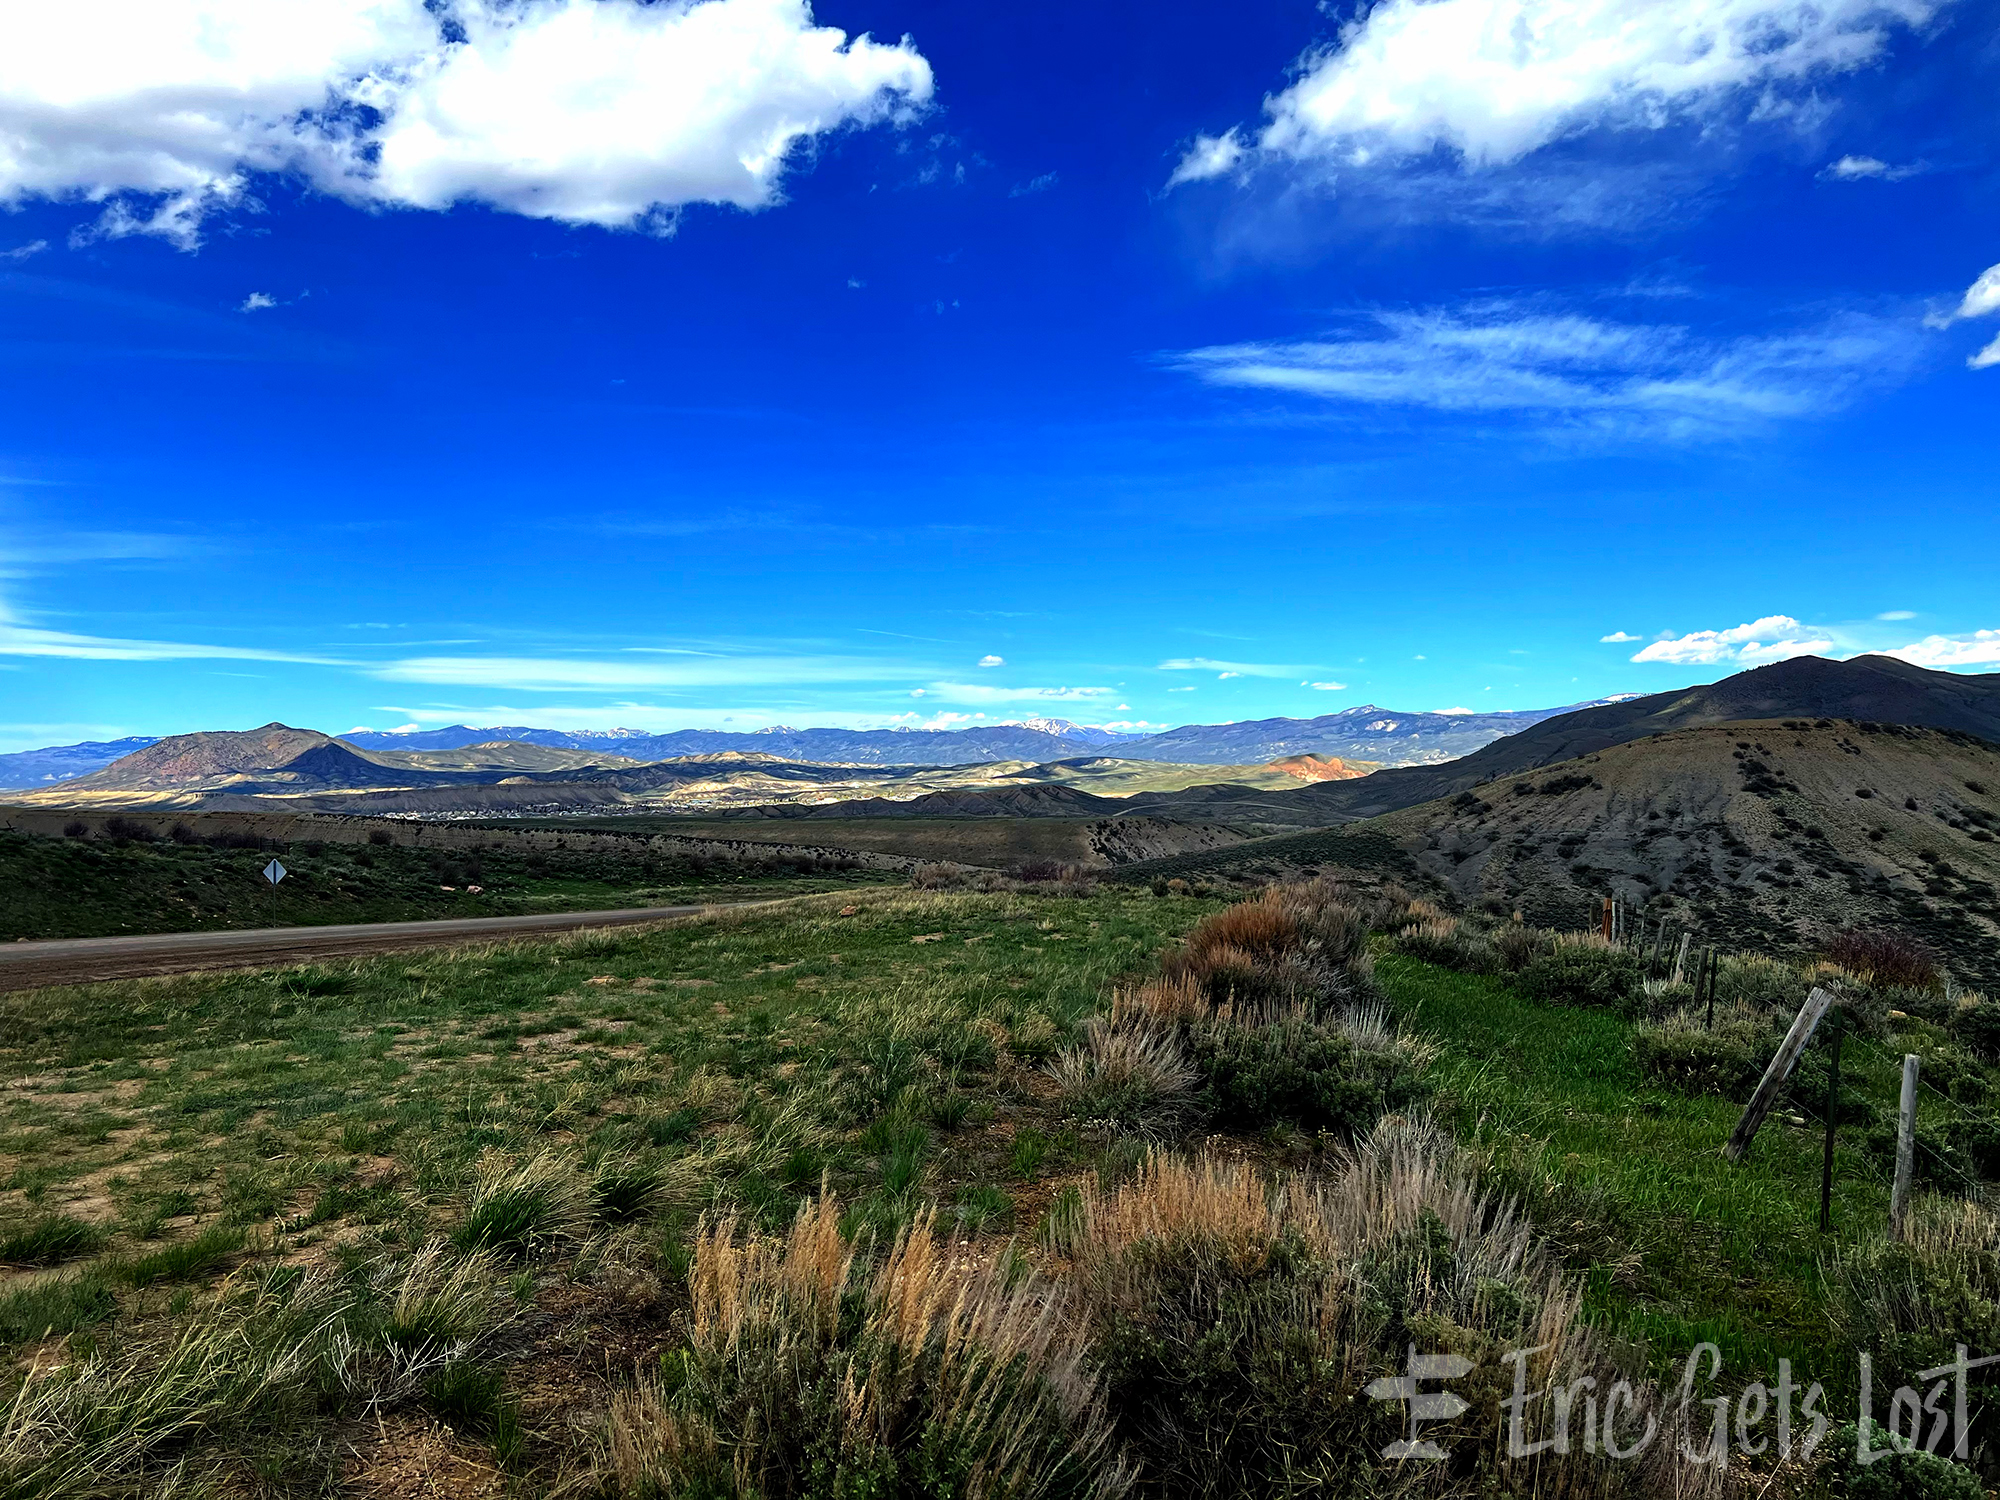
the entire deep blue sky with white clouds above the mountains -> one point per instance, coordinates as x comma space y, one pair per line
591, 363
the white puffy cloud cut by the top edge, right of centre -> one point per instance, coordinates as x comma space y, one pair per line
1495, 81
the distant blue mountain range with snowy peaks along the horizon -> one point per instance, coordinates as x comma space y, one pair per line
1375, 735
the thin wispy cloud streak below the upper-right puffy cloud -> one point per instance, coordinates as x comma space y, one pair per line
1571, 369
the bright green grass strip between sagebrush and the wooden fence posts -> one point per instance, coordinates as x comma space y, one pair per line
1629, 1173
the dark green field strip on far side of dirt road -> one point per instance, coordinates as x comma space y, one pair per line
97, 887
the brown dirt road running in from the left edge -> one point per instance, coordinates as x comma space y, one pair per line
83, 961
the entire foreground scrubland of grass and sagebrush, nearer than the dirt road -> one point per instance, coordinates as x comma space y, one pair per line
1055, 1191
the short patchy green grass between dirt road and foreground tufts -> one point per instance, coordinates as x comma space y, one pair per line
705, 1063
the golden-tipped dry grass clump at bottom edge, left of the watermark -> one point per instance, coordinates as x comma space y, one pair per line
941, 1371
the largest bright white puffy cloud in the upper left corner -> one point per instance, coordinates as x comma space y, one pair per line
583, 111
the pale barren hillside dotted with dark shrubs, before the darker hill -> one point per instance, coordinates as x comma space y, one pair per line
1753, 833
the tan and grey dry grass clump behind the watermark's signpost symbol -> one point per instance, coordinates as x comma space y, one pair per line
1239, 1323
